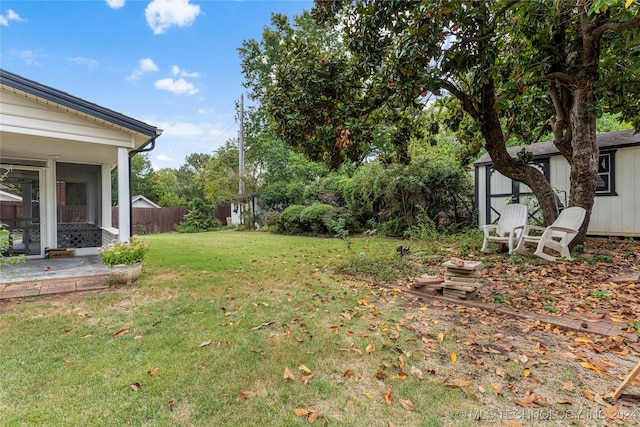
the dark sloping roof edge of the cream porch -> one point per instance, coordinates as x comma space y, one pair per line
42, 92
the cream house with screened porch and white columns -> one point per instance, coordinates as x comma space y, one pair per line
58, 152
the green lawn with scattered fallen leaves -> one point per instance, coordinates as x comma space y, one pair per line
215, 315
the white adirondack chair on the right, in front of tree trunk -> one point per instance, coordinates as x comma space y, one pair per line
556, 237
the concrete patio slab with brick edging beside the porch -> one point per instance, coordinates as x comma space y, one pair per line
53, 276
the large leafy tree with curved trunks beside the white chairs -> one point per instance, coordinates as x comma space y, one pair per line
512, 67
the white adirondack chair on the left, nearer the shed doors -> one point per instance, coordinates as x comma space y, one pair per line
508, 228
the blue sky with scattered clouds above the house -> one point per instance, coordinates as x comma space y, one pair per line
171, 63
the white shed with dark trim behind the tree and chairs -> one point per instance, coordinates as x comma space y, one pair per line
616, 209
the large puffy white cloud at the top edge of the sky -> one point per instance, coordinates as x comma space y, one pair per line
163, 14
